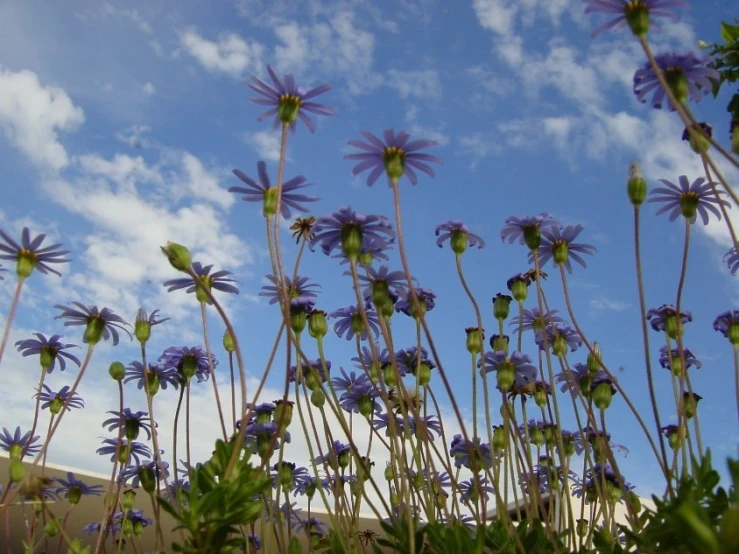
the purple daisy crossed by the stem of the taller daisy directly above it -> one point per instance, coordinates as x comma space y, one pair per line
264, 192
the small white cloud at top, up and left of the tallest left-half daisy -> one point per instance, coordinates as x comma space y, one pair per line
231, 54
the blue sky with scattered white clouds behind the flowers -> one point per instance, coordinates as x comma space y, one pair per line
120, 125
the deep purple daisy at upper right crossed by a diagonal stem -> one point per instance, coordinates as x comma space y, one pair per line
687, 75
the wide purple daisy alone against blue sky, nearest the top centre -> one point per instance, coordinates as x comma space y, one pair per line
396, 156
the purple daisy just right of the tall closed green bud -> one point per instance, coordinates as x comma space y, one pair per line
688, 200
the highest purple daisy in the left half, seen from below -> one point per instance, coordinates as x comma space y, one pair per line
287, 101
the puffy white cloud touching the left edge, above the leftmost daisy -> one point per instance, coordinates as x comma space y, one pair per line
31, 115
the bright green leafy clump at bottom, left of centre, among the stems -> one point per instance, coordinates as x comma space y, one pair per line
218, 505
